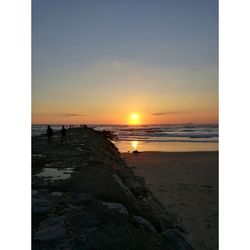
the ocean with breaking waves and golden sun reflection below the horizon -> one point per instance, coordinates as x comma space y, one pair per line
184, 137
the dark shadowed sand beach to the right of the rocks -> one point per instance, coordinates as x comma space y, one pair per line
186, 183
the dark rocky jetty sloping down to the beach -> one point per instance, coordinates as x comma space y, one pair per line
84, 196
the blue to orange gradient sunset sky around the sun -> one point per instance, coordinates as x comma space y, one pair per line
98, 62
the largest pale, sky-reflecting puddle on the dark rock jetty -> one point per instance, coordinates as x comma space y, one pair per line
56, 174
